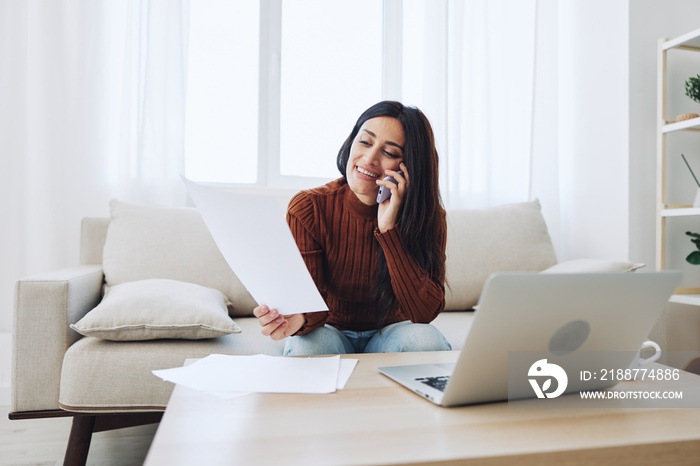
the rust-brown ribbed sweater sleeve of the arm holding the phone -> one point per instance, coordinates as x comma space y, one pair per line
420, 297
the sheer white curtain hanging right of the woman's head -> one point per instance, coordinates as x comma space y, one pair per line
487, 79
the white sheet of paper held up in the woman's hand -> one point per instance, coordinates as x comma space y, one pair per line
254, 238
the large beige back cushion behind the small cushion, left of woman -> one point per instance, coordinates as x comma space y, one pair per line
145, 242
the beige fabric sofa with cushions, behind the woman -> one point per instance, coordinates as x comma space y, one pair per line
102, 376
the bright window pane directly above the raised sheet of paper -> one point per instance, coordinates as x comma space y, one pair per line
221, 127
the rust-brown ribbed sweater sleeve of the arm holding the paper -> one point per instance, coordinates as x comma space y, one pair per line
301, 216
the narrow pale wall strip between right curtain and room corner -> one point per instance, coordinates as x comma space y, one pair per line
593, 129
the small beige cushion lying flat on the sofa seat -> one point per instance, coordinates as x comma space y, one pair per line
158, 308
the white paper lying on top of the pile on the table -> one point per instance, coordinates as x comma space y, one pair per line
260, 374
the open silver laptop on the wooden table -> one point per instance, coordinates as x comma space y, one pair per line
589, 322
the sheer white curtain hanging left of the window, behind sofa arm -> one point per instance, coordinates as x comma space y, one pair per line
92, 108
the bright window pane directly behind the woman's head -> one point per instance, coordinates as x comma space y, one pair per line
331, 71
